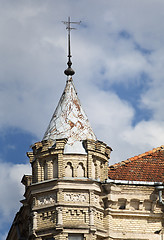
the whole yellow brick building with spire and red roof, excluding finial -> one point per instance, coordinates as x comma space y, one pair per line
74, 194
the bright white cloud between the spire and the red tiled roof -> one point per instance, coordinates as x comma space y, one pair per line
112, 119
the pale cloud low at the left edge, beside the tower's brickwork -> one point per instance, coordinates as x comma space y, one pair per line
11, 189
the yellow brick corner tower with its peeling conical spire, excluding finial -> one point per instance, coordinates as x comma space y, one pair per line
68, 167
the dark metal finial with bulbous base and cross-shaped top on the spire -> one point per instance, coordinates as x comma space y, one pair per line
69, 71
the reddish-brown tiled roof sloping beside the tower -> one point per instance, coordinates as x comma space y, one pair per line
148, 167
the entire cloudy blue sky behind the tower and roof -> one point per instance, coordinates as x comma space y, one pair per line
118, 57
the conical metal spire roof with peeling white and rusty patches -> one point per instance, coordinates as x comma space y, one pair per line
69, 120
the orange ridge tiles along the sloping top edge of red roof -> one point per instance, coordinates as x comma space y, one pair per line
116, 165
